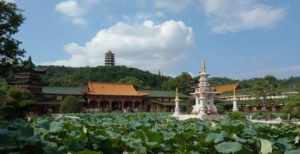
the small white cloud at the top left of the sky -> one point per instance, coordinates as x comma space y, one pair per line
73, 10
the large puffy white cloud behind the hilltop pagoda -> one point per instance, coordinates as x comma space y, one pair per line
147, 45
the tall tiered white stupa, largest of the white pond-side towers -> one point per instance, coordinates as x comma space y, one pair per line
204, 96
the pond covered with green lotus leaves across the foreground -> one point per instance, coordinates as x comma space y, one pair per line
144, 133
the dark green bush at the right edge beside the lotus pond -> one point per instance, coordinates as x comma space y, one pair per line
293, 106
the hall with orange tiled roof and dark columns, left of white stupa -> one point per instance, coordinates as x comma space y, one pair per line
107, 97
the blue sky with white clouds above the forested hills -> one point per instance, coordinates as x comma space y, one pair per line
237, 38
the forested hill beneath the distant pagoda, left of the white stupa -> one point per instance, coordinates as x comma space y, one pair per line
72, 76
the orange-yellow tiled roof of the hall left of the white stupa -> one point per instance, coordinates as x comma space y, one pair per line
112, 89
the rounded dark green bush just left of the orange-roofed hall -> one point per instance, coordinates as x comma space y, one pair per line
70, 104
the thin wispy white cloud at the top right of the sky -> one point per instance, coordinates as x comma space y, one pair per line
236, 15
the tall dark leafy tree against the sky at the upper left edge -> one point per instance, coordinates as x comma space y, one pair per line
10, 52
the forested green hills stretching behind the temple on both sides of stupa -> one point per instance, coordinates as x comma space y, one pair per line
71, 76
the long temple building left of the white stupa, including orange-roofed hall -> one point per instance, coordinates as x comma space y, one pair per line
96, 96
